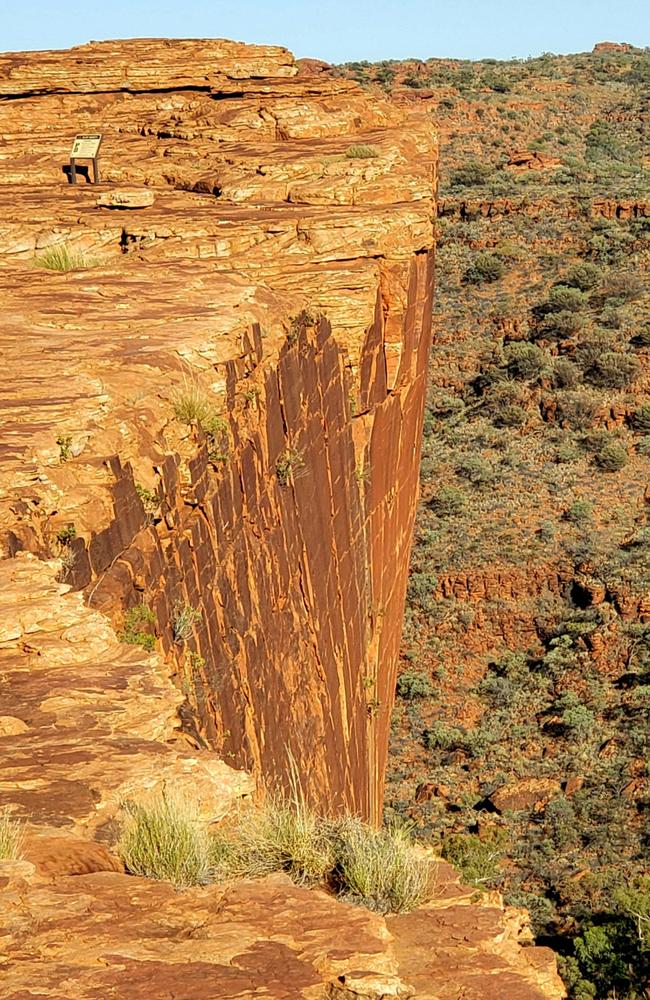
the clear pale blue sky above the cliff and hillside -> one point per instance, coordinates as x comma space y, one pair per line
338, 30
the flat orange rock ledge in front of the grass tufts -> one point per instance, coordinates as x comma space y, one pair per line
137, 938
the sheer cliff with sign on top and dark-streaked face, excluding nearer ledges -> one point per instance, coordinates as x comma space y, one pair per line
269, 251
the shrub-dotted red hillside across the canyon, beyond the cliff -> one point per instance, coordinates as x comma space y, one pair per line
531, 565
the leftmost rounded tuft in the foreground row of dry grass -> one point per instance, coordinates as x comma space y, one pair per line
165, 840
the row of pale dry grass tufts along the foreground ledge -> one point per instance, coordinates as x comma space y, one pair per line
166, 839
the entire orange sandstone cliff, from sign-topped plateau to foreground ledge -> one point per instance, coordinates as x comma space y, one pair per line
287, 530
